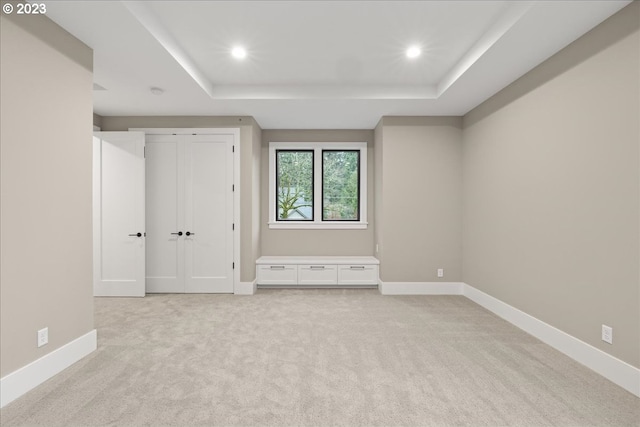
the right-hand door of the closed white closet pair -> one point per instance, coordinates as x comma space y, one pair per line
209, 214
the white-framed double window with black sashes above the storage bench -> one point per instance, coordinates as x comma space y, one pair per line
317, 185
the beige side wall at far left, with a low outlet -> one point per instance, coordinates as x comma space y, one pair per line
45, 213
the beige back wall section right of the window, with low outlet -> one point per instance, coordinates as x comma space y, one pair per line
420, 175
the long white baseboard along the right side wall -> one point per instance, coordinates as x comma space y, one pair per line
615, 370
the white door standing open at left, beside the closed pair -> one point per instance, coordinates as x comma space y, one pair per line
119, 214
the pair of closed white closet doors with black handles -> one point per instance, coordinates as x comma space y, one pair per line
190, 213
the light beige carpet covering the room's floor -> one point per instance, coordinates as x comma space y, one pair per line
318, 358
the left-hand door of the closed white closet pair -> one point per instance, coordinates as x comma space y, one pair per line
165, 214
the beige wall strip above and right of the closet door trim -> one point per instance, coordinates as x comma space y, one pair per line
250, 134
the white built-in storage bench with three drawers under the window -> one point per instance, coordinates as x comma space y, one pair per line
316, 271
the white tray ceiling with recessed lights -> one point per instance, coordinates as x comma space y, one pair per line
316, 64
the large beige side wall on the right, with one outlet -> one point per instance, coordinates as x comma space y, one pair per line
551, 189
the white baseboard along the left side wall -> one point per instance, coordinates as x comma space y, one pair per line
35, 373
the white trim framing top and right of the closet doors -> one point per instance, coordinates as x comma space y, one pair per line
236, 180
